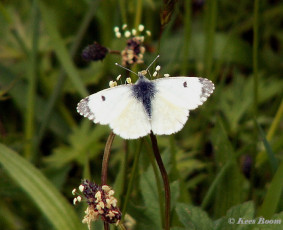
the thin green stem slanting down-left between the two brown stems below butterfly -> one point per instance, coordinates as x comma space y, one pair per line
131, 180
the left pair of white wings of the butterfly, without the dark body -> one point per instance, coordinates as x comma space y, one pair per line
119, 109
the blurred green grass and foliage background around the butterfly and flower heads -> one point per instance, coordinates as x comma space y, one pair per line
227, 160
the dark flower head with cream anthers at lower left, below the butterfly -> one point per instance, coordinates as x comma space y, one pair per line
101, 203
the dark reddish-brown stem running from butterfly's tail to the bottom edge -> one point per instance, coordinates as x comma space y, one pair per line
165, 179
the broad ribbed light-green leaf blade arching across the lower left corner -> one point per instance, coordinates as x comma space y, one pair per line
51, 203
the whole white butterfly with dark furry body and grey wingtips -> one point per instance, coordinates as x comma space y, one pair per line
134, 110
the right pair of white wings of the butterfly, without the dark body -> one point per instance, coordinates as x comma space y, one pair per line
175, 97
